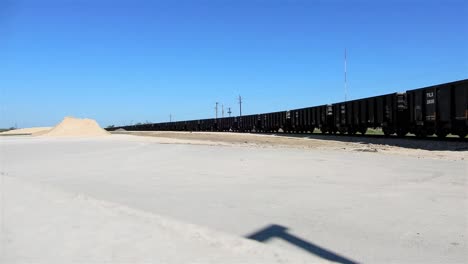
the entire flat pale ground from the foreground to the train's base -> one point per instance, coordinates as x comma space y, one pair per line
318, 200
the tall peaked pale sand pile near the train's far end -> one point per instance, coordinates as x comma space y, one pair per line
71, 127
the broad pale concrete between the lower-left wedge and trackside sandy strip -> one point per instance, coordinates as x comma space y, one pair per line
344, 206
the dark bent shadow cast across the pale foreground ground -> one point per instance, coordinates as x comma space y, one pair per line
277, 231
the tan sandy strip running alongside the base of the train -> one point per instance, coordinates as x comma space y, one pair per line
395, 146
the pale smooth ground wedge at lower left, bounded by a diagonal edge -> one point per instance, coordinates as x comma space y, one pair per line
43, 225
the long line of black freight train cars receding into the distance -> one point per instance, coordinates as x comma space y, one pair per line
440, 109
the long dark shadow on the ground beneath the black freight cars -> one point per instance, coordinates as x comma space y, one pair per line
429, 143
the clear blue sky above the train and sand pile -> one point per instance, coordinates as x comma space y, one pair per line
136, 61
